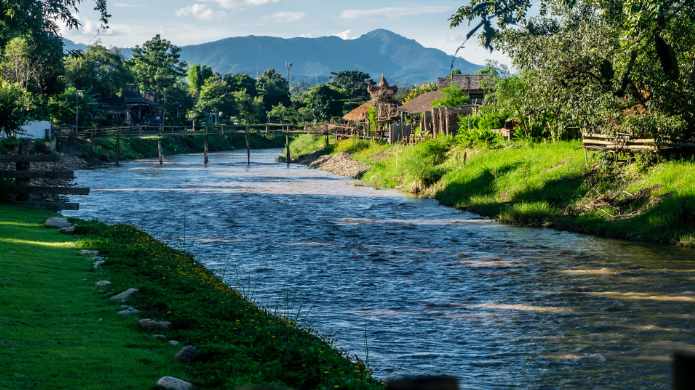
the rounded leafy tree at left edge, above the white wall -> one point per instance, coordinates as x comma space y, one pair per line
15, 107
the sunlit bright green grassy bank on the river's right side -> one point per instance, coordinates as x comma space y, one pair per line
547, 184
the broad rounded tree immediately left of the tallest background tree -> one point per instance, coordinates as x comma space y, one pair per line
101, 72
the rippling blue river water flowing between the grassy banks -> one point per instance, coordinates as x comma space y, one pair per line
410, 286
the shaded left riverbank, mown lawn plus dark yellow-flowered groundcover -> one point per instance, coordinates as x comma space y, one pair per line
59, 331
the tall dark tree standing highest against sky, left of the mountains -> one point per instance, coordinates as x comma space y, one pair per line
157, 66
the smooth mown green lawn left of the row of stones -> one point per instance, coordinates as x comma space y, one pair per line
56, 330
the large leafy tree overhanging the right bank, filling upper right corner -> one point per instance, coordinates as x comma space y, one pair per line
636, 55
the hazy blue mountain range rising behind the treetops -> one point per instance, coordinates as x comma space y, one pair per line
403, 61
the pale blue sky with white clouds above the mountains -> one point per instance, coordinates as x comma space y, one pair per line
195, 21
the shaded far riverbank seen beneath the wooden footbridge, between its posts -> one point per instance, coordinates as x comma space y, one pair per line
103, 150
